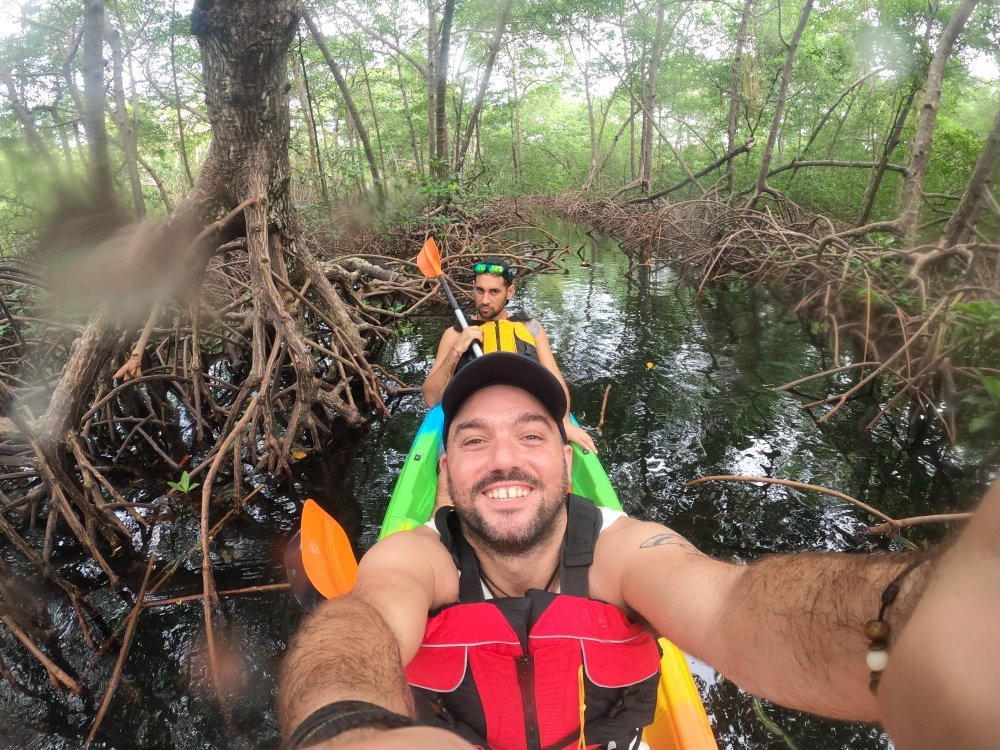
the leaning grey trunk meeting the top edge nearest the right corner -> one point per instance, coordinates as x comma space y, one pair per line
910, 209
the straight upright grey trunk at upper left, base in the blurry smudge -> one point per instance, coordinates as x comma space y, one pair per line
94, 104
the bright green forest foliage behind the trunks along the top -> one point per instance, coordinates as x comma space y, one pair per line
538, 133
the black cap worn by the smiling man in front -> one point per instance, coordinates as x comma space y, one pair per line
504, 368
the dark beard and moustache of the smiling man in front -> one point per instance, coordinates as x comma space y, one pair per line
505, 543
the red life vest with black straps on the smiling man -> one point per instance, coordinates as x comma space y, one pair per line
506, 673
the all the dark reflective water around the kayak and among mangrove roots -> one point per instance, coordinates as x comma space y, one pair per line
707, 405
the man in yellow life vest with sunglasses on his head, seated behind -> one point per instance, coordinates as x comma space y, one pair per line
493, 288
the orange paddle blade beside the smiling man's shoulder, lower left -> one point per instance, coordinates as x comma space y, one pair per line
326, 552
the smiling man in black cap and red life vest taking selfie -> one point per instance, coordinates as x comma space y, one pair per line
524, 617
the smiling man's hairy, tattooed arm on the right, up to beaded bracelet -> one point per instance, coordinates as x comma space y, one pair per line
786, 627
